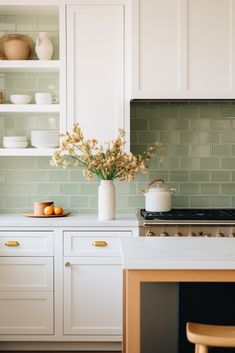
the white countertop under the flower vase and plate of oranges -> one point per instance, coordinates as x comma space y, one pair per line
73, 220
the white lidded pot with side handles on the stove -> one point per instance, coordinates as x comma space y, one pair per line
158, 199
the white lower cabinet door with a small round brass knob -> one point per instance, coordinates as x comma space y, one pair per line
92, 296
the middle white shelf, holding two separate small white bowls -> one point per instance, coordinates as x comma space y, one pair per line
31, 108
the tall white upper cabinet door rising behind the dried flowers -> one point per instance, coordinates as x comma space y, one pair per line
96, 78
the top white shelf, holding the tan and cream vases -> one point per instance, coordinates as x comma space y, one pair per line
29, 65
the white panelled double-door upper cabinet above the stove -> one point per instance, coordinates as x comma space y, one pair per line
183, 49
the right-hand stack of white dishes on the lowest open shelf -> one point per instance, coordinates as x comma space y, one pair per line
45, 138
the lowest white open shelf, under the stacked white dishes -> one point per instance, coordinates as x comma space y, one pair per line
26, 152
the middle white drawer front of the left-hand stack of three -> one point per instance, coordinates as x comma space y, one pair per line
31, 274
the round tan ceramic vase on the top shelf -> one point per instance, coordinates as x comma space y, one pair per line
16, 48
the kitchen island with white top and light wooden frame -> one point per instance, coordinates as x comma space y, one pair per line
168, 260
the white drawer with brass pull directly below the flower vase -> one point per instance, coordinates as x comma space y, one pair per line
85, 243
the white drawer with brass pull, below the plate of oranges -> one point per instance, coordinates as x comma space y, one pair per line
26, 243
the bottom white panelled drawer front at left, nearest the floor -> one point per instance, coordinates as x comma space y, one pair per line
26, 313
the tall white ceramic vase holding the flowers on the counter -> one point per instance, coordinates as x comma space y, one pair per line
106, 200
